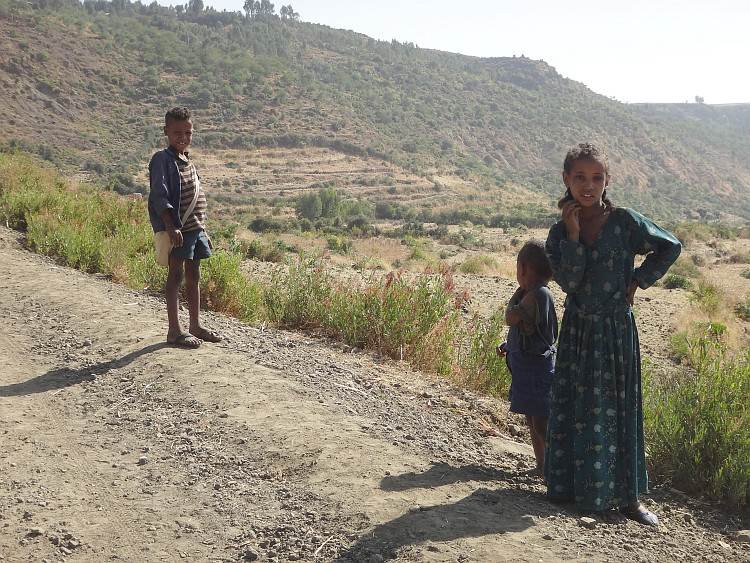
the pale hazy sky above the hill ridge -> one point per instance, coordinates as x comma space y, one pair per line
629, 50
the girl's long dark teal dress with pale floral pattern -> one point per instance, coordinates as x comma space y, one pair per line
595, 452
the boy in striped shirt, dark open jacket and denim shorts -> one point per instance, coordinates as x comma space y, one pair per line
176, 204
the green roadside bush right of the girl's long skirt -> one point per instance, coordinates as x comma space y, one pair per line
698, 423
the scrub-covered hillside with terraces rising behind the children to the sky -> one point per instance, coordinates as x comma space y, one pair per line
86, 85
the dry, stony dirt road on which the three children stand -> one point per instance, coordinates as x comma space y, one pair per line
272, 446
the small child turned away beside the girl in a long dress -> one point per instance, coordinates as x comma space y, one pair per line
530, 350
